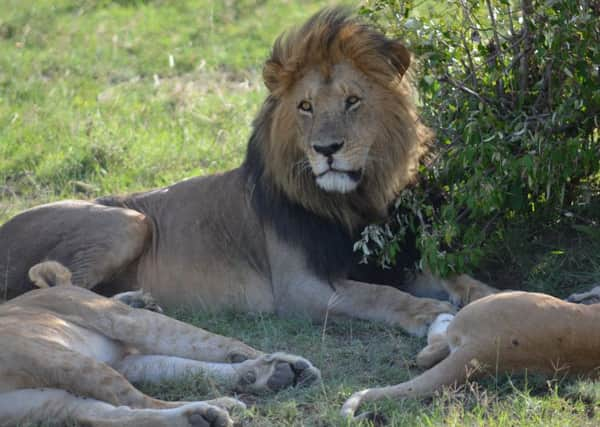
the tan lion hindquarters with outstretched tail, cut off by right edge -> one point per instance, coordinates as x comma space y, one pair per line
506, 332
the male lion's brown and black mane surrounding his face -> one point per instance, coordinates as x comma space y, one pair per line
324, 224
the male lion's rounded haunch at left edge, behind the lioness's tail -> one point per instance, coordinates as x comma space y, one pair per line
91, 240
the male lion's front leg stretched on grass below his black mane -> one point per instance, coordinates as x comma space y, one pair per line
386, 304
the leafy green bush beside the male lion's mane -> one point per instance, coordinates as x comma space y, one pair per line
513, 92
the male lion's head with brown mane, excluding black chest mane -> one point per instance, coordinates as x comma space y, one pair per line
339, 133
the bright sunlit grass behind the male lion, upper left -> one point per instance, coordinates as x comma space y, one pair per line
88, 92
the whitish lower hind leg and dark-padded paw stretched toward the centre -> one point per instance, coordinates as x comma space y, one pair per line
271, 372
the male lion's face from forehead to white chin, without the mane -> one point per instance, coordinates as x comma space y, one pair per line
334, 116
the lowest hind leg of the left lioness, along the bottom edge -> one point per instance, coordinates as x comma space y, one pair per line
89, 391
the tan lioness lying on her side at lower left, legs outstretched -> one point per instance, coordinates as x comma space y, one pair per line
68, 354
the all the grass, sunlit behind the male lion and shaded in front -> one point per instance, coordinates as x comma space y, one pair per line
91, 105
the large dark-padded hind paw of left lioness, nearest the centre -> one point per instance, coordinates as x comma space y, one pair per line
277, 371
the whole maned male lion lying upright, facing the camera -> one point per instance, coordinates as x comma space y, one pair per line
336, 140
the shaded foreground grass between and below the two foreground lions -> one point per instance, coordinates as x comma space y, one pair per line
354, 355
